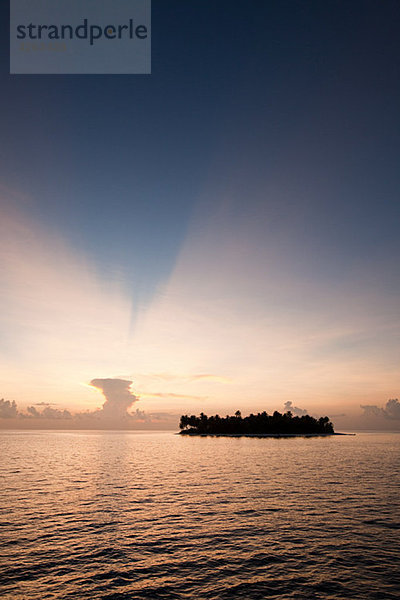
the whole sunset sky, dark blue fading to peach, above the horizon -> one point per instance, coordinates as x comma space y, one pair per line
222, 234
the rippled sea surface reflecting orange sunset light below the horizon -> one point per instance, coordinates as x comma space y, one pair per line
155, 515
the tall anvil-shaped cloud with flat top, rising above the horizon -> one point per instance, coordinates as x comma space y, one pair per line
118, 395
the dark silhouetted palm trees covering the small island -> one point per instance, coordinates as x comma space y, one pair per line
261, 423
